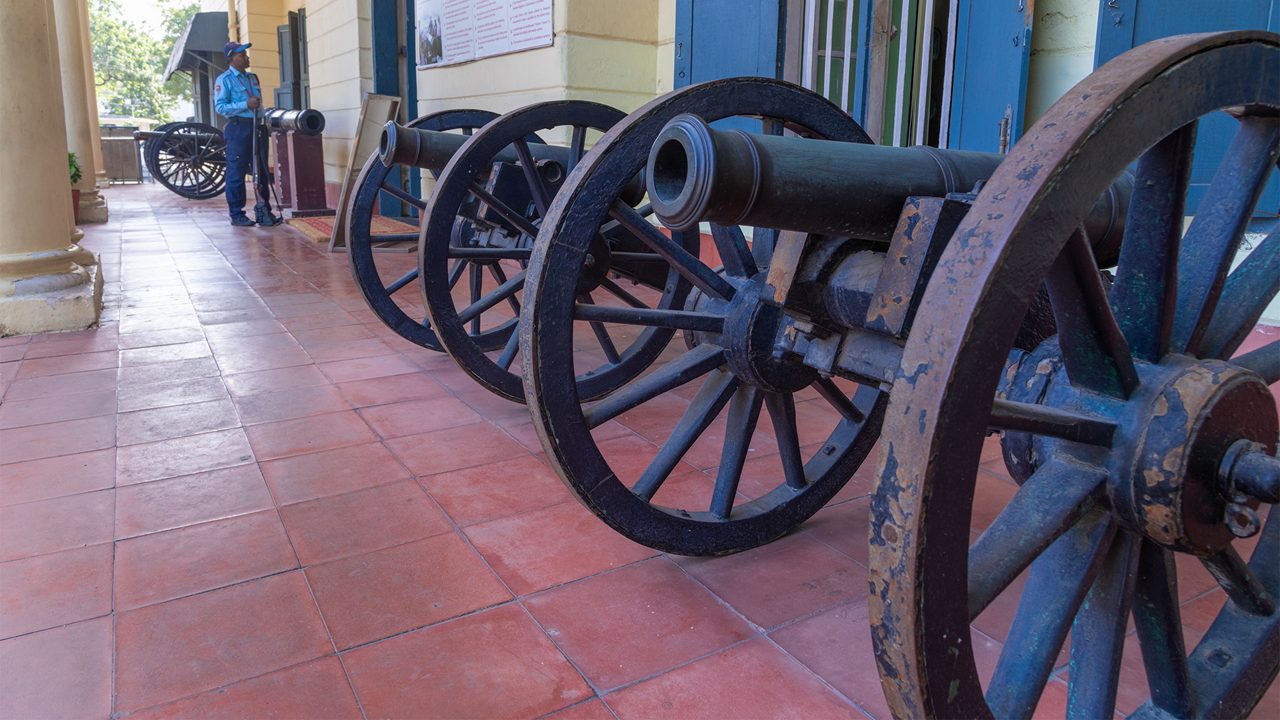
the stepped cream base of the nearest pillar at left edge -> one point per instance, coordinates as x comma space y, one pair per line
61, 302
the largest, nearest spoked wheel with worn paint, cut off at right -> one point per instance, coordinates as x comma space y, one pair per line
1150, 441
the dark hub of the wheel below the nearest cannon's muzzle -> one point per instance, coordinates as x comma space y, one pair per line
751, 334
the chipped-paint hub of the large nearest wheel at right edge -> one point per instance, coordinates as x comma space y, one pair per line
1188, 416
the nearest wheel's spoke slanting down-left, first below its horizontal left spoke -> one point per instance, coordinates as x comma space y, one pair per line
1048, 505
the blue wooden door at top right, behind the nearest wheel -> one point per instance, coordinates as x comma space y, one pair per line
1128, 24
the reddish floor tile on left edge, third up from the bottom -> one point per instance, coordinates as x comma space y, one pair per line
54, 525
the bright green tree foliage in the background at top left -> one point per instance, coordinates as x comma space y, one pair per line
130, 60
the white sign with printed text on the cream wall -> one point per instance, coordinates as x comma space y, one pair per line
459, 31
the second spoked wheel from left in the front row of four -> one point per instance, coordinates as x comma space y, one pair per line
477, 245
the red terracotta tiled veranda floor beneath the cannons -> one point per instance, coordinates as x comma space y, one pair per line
243, 496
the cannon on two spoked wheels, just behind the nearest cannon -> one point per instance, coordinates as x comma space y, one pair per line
490, 193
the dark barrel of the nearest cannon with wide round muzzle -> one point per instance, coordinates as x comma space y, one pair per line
697, 174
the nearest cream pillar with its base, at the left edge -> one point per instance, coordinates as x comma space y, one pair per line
43, 286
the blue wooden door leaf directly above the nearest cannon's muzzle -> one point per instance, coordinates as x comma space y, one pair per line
720, 39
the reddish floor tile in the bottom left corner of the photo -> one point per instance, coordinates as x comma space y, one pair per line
60, 673
